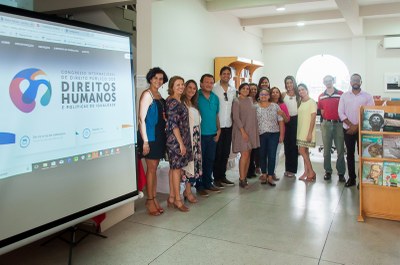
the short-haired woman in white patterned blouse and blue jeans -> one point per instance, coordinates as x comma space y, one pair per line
271, 130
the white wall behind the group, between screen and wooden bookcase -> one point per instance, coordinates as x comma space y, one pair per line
187, 38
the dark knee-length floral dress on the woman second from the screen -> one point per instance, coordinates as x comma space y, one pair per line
178, 117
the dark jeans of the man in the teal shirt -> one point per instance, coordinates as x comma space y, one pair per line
208, 148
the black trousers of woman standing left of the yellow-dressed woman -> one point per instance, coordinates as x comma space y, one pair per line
290, 147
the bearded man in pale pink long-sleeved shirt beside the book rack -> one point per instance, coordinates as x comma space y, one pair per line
349, 108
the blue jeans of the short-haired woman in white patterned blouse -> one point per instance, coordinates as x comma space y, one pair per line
268, 145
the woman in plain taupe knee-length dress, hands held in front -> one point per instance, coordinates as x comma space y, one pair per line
244, 130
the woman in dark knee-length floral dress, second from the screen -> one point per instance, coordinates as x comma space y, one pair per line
179, 145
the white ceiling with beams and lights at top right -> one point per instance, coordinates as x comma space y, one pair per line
357, 17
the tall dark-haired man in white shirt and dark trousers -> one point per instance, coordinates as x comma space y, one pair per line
226, 93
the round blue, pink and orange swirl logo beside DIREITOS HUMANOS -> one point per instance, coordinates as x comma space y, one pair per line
26, 101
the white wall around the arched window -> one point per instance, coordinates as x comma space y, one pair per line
364, 56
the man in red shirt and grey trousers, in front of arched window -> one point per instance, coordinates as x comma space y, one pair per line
332, 128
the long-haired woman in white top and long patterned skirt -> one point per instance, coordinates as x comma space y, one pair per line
193, 170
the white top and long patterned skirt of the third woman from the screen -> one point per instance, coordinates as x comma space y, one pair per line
193, 170
